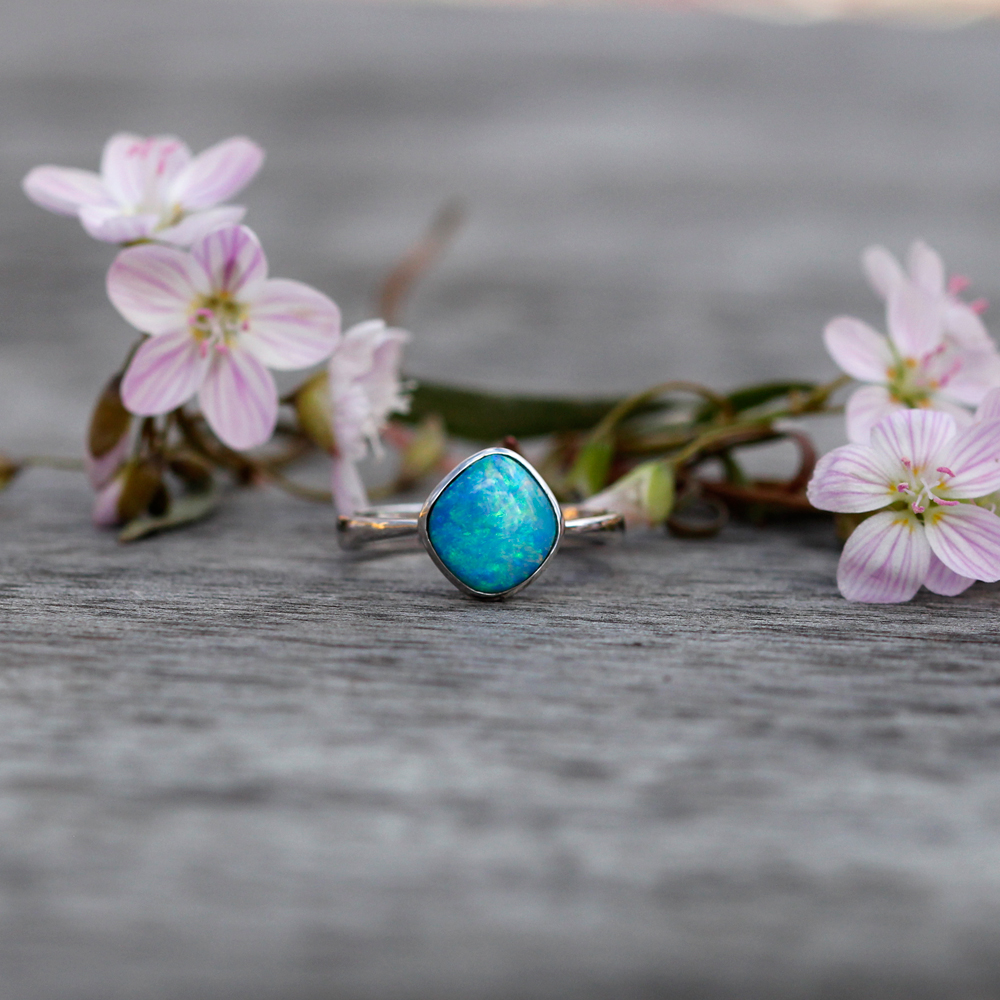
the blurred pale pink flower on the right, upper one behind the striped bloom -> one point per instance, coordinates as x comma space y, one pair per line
938, 354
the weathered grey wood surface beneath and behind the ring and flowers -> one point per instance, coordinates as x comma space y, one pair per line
235, 764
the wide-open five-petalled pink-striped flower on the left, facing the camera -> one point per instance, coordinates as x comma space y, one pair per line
215, 321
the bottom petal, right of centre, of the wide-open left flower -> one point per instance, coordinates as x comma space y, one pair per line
239, 399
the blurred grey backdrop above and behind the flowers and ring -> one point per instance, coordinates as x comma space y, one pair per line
654, 191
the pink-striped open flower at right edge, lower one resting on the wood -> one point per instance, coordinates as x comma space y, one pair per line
923, 474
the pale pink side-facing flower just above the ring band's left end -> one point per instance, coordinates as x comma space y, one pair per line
365, 388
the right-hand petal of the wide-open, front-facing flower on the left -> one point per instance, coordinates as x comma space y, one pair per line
291, 325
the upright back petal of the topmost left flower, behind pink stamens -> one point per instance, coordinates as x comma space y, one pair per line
138, 171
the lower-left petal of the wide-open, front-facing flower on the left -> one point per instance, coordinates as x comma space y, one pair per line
164, 373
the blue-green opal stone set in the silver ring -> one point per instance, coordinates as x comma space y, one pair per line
493, 525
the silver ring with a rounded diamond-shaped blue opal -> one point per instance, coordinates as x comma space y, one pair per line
491, 525
